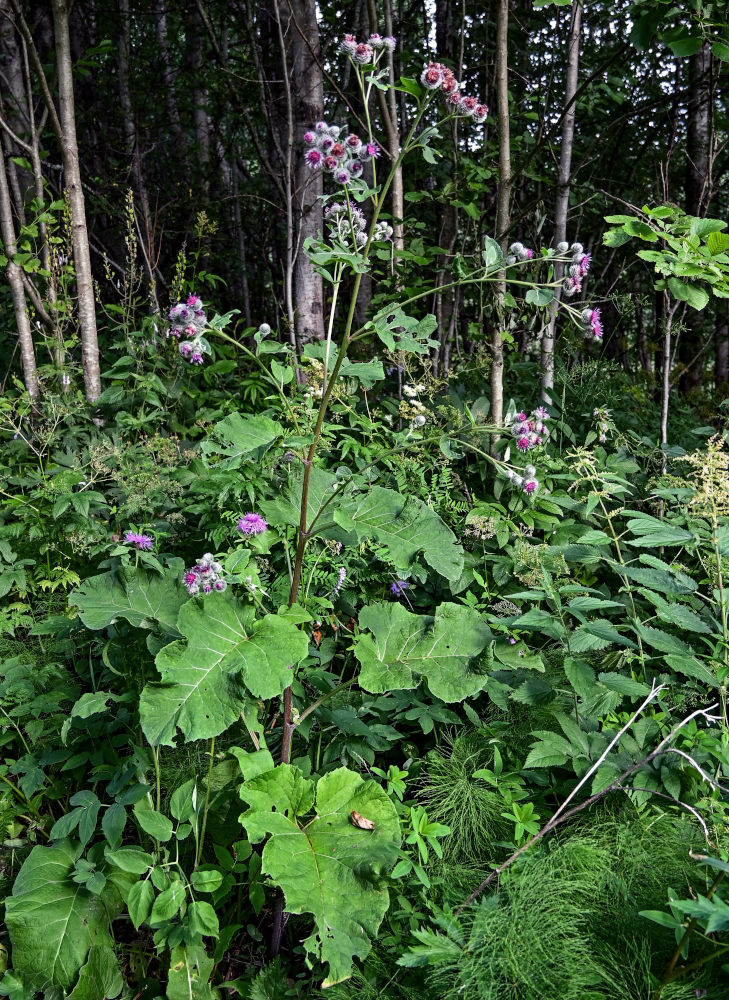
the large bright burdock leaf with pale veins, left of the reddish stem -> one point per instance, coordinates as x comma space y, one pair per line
204, 678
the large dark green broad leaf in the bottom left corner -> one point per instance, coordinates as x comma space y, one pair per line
53, 921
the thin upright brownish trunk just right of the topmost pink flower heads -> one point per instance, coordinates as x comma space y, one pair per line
503, 203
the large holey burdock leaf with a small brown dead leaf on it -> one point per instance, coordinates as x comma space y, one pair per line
324, 864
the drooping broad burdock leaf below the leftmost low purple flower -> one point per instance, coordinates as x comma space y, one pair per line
143, 598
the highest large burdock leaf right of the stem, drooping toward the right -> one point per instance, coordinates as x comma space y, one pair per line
406, 527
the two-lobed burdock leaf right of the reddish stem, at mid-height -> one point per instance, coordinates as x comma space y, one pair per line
403, 648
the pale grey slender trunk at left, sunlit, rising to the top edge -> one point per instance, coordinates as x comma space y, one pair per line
81, 255
